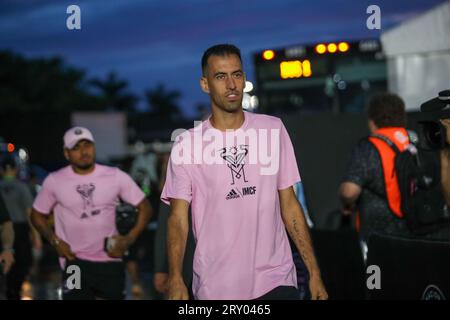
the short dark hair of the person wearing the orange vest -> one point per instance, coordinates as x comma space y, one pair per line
387, 110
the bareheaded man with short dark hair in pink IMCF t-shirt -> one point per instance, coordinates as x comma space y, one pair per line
236, 171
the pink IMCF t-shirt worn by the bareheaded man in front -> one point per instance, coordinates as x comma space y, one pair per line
242, 249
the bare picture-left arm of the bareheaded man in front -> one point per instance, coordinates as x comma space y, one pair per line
177, 231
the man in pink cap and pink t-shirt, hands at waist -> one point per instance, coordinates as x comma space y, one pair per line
83, 197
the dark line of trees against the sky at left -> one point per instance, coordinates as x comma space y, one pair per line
49, 85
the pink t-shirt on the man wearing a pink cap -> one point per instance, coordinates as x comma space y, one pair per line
84, 207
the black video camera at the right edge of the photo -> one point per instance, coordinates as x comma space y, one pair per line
434, 132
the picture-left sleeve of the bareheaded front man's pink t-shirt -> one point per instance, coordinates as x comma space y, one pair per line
178, 183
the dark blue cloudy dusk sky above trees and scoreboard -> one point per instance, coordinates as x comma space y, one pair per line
150, 42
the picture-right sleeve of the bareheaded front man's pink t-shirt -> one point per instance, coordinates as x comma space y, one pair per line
288, 173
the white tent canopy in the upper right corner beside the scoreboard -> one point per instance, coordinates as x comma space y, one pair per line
418, 53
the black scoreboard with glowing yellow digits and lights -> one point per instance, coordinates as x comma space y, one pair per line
333, 76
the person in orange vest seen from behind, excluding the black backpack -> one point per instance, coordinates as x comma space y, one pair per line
366, 187
